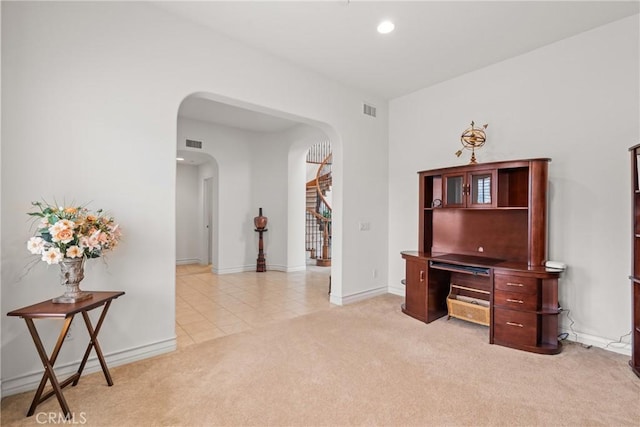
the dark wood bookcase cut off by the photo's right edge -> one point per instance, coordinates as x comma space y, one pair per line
635, 259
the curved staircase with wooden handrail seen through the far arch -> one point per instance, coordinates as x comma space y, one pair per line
318, 209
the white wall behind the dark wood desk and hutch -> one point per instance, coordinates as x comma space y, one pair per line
575, 101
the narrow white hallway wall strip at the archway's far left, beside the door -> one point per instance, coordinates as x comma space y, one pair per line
188, 214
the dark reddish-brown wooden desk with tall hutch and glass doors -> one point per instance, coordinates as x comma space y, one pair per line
483, 233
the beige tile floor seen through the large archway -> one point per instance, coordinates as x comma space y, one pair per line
210, 306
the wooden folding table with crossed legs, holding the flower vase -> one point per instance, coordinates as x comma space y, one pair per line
66, 311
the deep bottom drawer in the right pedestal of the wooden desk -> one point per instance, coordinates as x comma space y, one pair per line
515, 327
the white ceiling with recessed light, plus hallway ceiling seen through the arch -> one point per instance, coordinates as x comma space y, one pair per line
434, 40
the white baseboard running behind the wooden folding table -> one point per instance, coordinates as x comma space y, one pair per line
30, 381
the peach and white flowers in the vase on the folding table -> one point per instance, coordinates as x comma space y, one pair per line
71, 232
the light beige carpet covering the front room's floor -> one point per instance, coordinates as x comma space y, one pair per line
362, 364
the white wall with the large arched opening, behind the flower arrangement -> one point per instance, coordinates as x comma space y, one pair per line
90, 95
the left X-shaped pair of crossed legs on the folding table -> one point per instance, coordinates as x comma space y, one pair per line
48, 363
